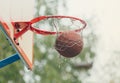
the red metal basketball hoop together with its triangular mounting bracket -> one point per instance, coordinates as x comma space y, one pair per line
76, 24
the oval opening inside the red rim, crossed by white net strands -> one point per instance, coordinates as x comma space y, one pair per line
59, 24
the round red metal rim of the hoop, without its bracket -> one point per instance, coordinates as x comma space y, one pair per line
43, 32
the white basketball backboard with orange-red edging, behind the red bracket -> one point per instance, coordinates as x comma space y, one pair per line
14, 11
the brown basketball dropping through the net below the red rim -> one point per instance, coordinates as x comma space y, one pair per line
69, 44
